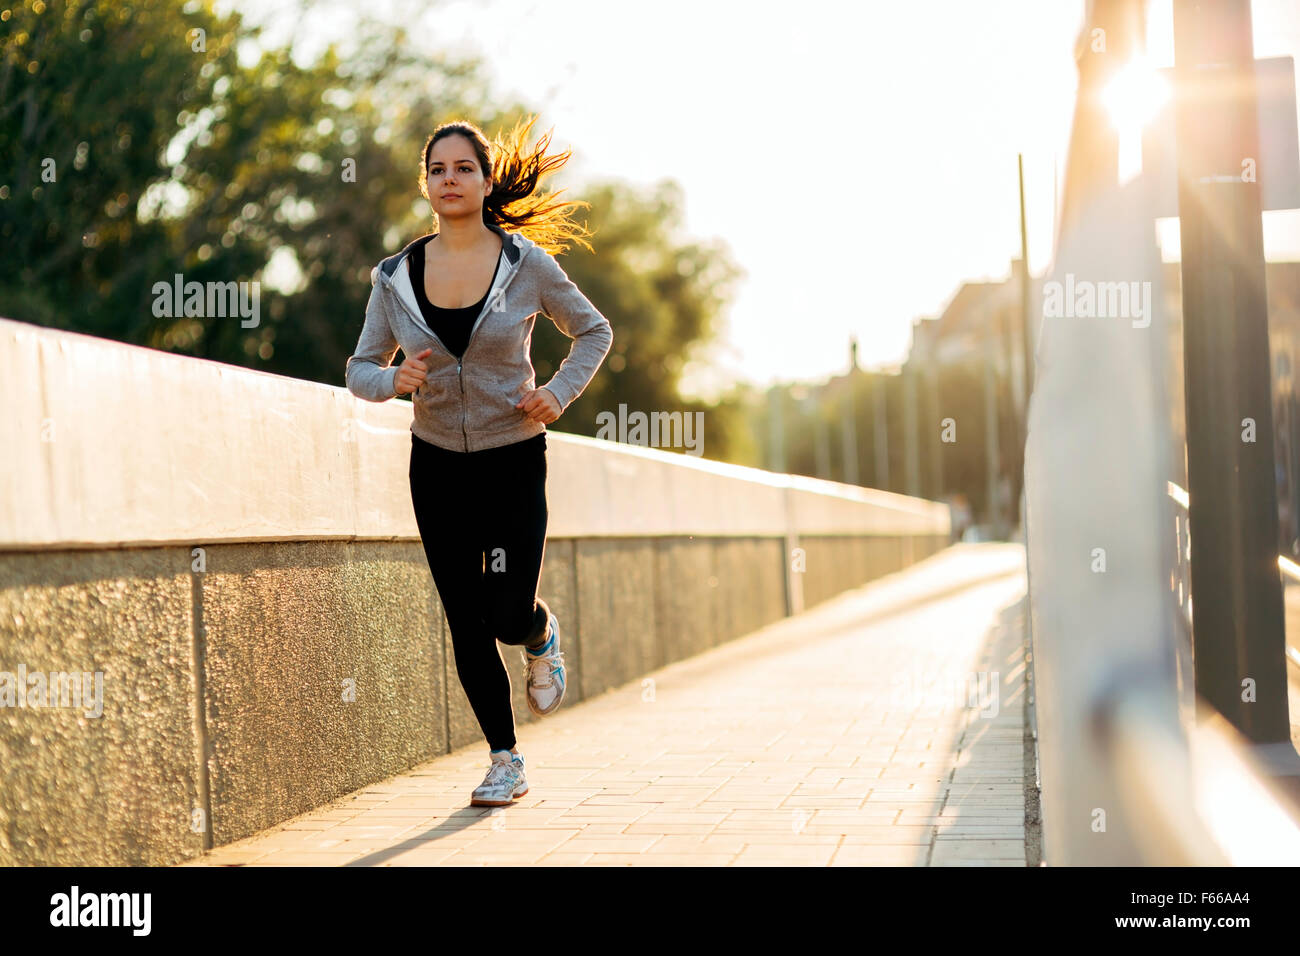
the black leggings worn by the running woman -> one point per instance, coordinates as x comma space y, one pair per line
483, 524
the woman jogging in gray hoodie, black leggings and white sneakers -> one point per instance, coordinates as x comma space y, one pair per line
461, 305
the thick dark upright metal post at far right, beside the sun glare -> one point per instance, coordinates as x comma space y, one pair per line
1237, 591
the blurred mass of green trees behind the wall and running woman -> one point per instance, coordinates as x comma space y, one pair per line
183, 144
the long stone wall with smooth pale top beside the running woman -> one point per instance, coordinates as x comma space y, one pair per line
236, 555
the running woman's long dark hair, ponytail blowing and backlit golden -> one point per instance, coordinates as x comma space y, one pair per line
515, 172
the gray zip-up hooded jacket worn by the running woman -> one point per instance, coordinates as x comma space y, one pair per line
469, 405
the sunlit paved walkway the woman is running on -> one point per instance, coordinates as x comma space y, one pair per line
882, 728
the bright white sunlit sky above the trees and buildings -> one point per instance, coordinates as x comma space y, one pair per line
857, 158
